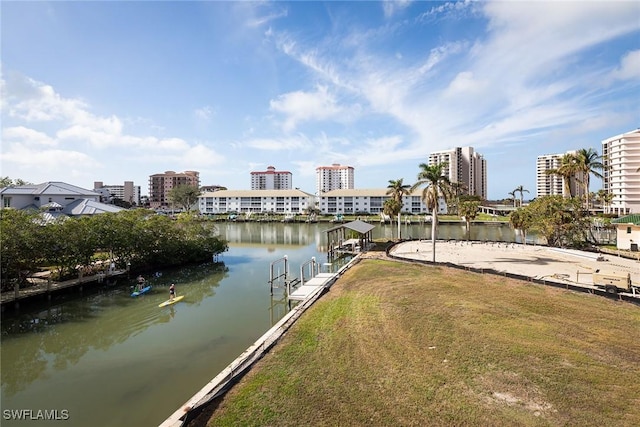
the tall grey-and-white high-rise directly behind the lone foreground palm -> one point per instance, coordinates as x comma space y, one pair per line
464, 166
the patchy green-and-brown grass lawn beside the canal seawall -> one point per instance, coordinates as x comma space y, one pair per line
400, 344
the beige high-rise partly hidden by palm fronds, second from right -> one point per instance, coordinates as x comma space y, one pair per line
548, 184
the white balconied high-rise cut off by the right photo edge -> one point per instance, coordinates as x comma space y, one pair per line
621, 158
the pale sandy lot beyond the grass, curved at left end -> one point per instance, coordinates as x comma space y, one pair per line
566, 265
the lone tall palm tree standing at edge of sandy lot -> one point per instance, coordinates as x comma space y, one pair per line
436, 185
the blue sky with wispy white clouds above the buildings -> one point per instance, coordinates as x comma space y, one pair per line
117, 91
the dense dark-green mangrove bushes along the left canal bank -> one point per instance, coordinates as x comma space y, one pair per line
69, 246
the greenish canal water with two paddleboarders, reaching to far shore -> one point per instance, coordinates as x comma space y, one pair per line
103, 358
